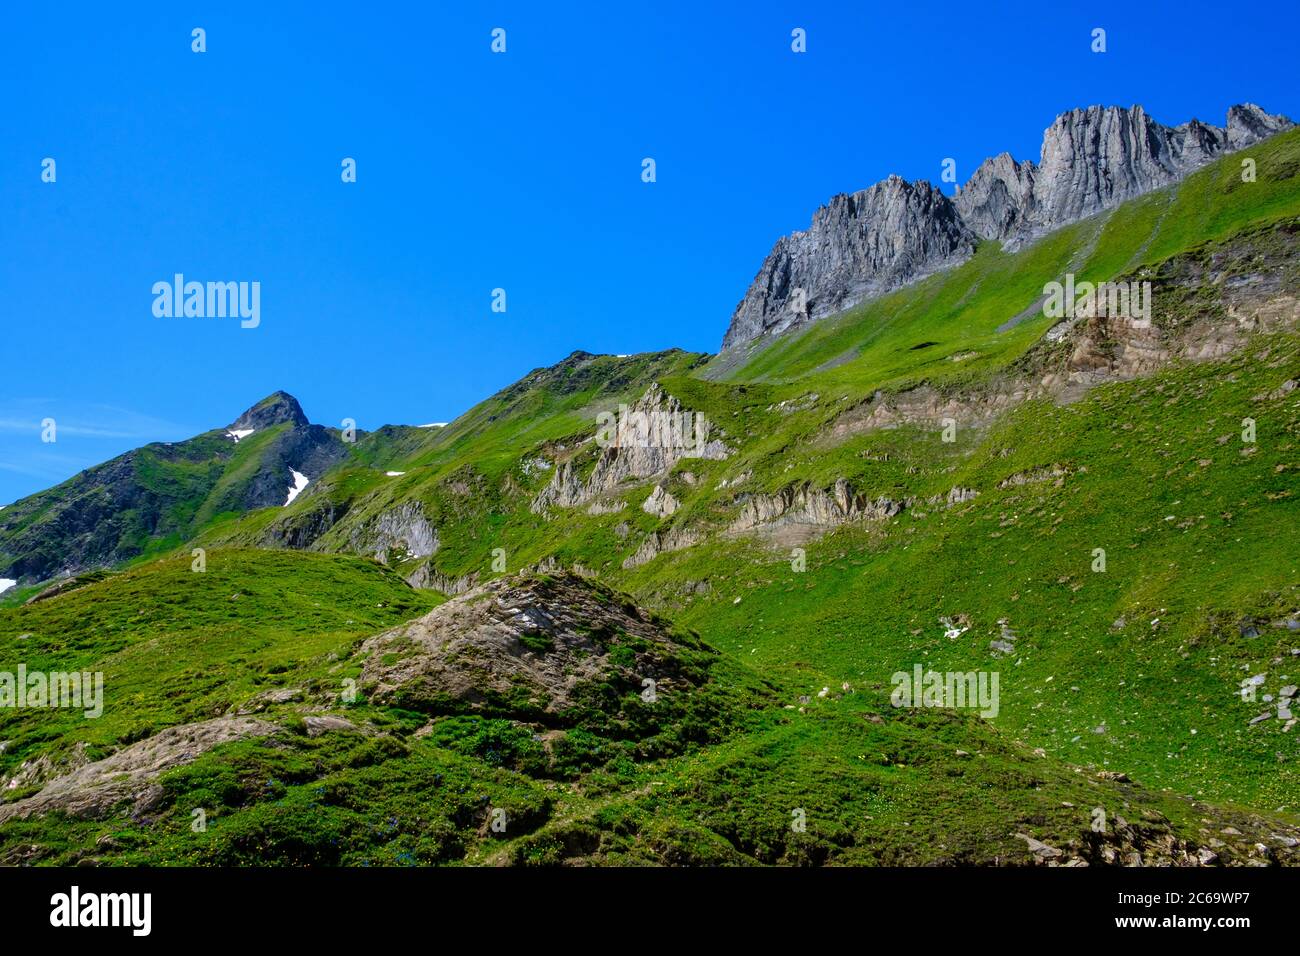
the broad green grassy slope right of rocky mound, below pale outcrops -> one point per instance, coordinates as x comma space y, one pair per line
1197, 535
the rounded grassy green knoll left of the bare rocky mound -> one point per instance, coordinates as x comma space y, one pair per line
179, 646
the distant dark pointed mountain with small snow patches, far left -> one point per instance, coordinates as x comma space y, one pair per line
159, 496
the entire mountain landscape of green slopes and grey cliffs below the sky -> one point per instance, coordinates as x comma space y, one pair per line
926, 566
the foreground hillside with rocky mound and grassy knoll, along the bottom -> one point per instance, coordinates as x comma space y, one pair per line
288, 771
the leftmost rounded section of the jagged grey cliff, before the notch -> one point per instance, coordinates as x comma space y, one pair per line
859, 245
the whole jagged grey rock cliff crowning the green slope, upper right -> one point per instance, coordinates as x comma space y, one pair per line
889, 236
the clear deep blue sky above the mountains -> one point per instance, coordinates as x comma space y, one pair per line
479, 171
